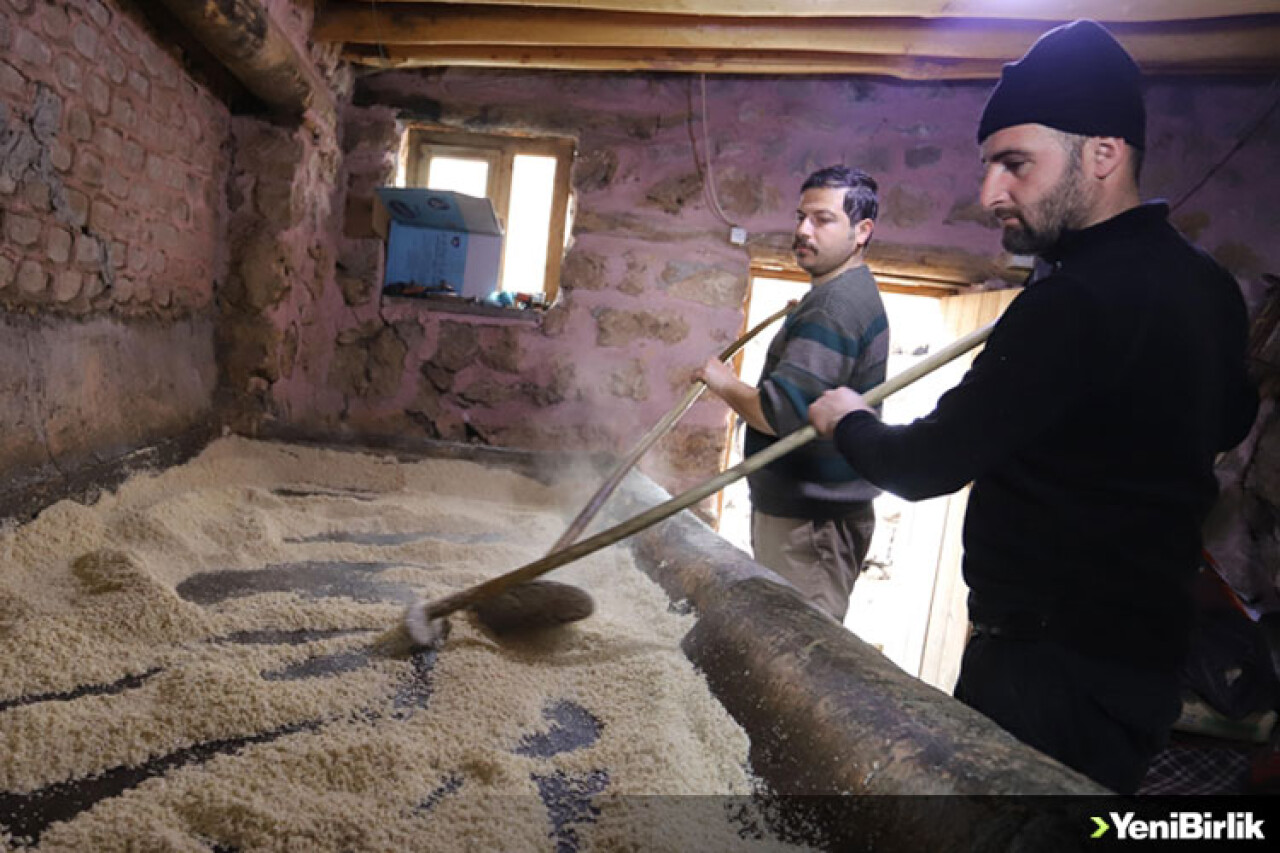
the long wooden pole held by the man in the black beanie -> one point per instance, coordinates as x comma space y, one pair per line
420, 617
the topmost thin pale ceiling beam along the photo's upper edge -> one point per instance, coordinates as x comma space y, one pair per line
1105, 11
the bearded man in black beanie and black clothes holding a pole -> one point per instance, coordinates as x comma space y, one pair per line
1089, 426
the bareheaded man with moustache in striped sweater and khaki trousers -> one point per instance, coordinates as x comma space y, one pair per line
812, 517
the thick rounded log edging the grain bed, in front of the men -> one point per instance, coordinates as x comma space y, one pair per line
781, 668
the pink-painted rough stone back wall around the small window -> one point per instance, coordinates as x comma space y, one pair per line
652, 285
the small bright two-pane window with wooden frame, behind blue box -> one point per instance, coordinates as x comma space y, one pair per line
527, 180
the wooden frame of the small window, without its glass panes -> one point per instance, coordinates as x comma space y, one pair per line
501, 150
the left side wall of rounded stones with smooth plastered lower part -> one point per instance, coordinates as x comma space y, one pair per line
112, 170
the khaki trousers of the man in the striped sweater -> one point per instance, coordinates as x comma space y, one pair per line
820, 559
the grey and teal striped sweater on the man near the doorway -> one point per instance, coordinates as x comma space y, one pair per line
838, 336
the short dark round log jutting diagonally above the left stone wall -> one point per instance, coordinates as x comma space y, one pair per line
253, 45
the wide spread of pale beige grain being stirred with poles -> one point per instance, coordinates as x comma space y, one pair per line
367, 755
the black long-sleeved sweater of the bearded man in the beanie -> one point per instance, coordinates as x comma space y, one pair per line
1089, 428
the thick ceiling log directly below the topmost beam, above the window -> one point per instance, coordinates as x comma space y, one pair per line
1217, 43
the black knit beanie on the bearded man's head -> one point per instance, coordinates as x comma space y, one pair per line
1075, 79
